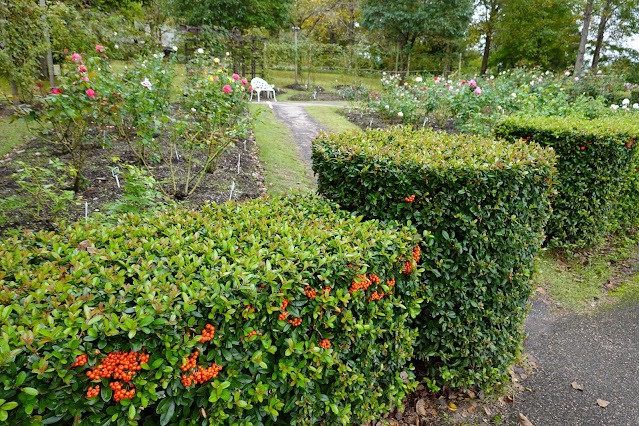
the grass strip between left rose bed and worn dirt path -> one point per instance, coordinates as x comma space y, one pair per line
278, 153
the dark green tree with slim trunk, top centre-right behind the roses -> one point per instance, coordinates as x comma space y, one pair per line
406, 21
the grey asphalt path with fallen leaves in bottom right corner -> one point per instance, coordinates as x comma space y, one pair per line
599, 351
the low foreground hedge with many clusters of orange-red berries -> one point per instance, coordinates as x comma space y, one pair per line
281, 311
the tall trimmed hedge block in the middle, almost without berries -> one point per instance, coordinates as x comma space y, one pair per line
481, 205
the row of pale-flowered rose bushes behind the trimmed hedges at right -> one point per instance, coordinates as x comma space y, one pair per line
476, 104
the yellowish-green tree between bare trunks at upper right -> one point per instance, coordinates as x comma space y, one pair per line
536, 33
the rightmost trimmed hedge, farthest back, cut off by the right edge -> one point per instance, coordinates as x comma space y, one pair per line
594, 172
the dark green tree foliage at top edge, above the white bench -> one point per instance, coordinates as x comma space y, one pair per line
243, 14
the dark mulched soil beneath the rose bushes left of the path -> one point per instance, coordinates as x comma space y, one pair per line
248, 183
